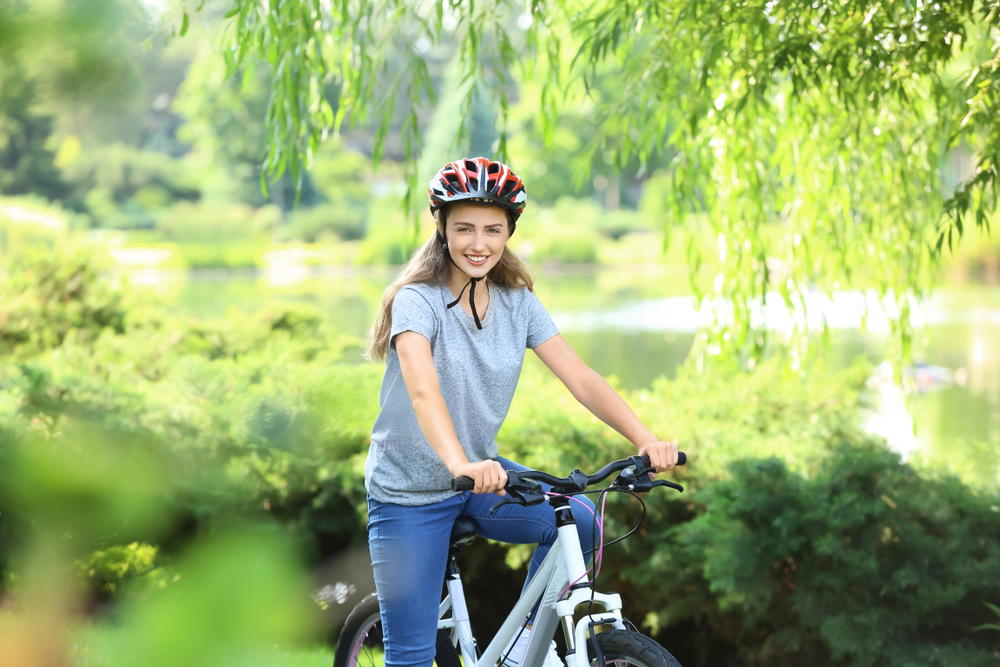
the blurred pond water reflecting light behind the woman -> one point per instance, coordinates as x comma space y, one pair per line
638, 323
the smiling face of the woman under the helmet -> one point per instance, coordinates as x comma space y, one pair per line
476, 236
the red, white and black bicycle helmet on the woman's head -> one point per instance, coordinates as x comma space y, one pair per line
478, 179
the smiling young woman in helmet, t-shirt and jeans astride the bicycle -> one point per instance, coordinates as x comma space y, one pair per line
449, 379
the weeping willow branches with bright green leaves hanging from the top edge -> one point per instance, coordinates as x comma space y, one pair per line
807, 132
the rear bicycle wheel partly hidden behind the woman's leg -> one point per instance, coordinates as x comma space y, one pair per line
360, 642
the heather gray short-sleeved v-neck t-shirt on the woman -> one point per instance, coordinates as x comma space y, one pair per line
477, 371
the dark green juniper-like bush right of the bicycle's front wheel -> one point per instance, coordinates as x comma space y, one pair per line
863, 563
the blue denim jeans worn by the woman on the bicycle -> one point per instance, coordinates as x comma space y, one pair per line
409, 548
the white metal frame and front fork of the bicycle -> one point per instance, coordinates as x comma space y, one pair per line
563, 565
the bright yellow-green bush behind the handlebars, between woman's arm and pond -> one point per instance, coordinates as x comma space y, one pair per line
719, 417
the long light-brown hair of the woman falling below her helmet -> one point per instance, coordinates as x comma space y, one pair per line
429, 265
